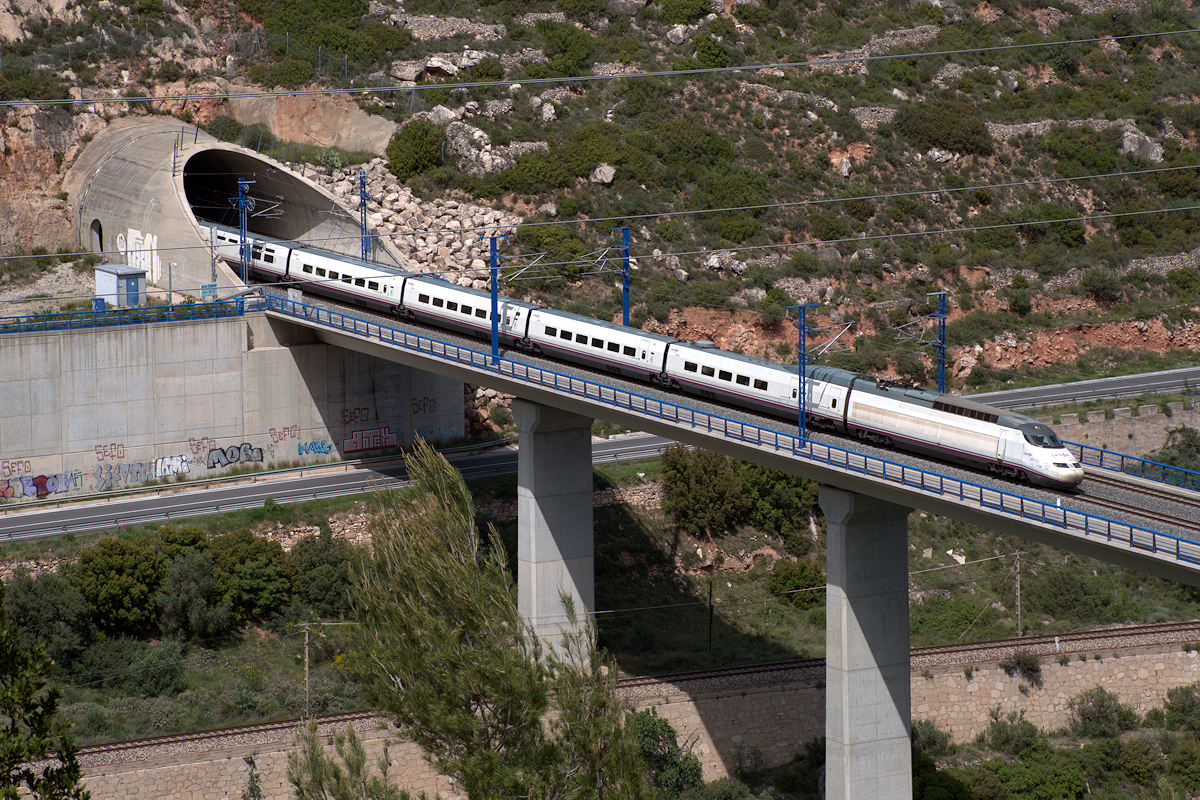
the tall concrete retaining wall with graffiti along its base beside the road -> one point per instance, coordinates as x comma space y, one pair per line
98, 410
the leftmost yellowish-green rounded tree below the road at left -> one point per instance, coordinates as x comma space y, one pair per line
119, 580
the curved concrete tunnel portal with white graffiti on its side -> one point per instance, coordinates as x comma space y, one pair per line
143, 187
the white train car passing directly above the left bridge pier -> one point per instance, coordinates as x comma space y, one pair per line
623, 351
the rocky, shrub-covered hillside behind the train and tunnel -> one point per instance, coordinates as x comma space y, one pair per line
860, 175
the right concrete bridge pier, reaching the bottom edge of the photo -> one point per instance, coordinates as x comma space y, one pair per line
868, 702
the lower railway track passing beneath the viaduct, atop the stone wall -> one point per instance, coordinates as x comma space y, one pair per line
730, 678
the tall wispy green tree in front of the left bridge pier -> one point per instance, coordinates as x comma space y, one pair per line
445, 652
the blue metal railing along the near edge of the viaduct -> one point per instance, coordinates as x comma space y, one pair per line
1006, 503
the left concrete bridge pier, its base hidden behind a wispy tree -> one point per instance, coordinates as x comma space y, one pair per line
555, 534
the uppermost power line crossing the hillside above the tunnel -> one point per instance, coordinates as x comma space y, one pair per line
592, 79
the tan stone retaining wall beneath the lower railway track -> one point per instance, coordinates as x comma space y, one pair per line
721, 720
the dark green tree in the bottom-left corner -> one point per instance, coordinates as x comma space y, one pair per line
37, 755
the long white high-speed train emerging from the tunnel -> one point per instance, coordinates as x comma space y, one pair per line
944, 426
